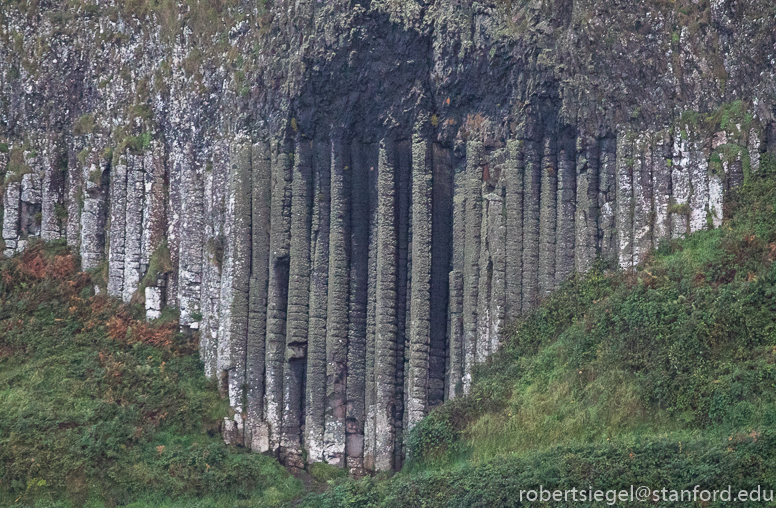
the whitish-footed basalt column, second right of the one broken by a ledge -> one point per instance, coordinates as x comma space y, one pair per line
338, 304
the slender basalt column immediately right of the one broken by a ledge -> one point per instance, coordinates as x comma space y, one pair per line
315, 397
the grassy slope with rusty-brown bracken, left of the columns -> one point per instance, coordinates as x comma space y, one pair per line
100, 409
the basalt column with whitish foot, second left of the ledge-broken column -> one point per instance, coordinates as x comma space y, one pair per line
261, 202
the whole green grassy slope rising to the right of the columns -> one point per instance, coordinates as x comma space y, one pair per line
665, 377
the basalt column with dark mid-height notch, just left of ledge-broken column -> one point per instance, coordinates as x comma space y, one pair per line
277, 291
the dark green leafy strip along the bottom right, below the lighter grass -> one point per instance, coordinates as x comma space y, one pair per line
676, 461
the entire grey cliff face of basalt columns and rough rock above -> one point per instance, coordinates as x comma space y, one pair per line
349, 200
